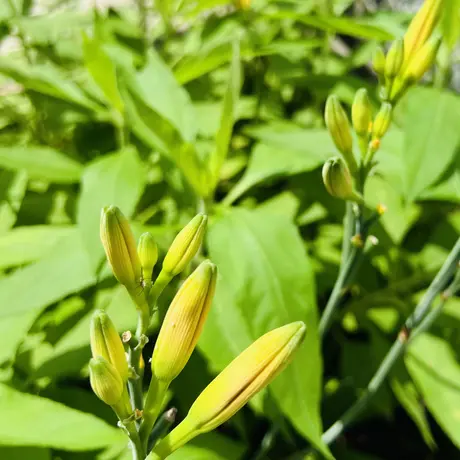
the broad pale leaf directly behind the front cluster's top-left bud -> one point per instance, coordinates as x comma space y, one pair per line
116, 179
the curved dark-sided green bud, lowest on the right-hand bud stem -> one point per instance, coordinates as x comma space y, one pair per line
337, 180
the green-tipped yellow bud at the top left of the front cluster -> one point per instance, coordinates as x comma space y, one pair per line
120, 246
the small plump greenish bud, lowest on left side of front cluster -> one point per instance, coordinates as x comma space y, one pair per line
105, 381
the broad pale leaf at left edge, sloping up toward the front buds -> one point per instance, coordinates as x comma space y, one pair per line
27, 292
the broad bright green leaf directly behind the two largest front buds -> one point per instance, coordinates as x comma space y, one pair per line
264, 284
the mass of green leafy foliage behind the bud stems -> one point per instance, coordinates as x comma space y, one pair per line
183, 106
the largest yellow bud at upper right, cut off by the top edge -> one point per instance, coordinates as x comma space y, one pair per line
421, 28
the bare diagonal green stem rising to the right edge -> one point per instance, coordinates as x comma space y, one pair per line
418, 319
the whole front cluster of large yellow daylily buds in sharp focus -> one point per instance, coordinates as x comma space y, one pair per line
111, 368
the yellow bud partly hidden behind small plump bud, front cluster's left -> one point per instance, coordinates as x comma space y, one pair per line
106, 342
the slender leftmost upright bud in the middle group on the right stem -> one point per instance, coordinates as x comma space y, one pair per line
339, 128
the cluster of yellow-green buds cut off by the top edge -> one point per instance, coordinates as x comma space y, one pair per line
410, 57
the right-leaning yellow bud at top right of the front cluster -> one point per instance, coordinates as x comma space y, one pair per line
185, 245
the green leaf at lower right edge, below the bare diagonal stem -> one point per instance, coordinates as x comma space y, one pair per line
433, 366
